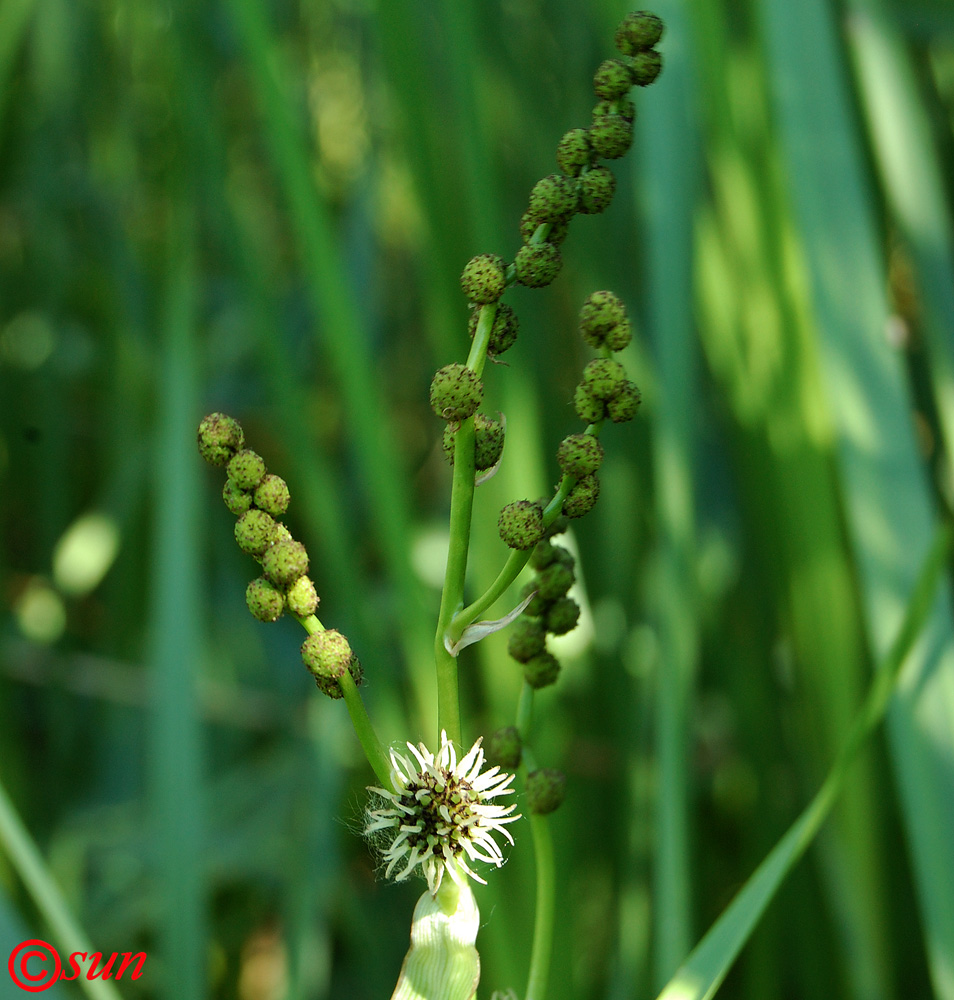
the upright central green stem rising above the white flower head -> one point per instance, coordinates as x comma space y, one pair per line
462, 505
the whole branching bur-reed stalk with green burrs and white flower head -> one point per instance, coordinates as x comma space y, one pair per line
436, 813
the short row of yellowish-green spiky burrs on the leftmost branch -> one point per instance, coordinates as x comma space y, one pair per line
259, 499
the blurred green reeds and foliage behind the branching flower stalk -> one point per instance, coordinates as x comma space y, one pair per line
263, 208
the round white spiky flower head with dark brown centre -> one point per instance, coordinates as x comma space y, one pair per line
441, 815
